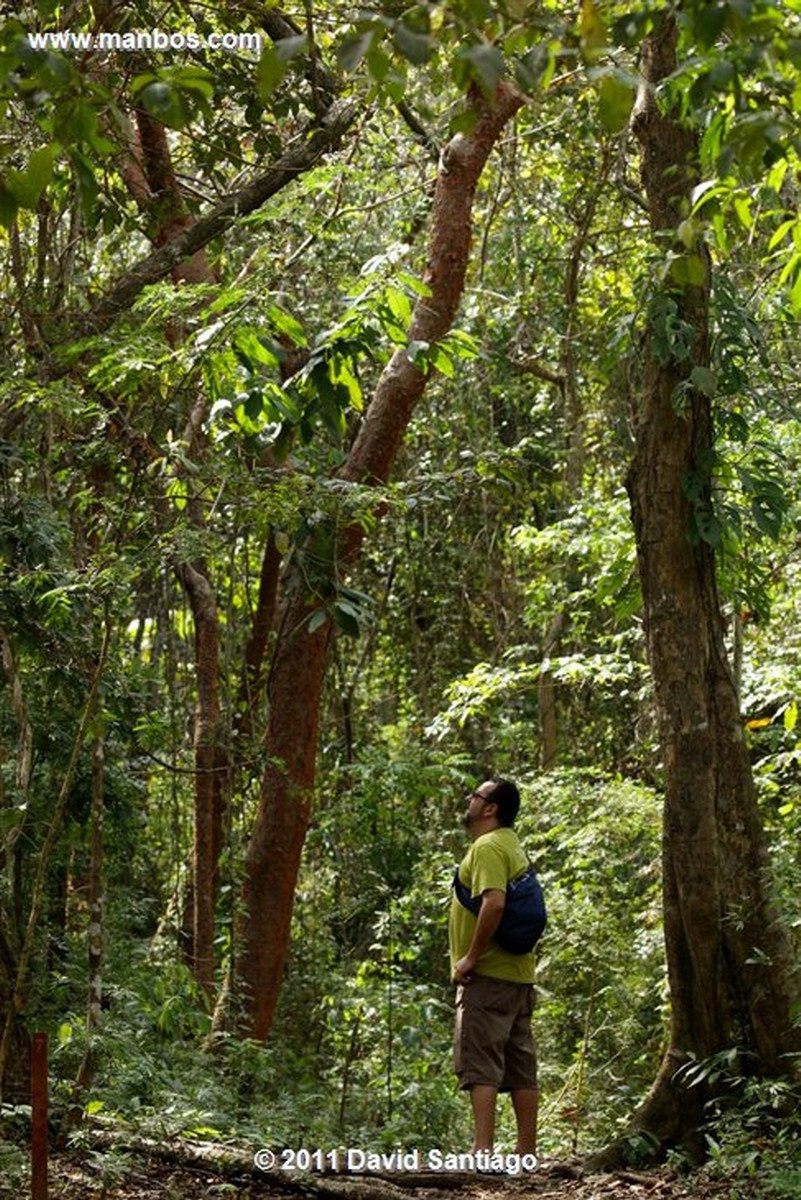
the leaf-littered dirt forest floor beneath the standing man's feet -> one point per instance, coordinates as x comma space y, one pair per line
89, 1177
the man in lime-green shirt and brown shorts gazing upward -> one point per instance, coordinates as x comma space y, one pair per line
493, 1046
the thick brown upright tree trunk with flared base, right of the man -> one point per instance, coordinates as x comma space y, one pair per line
733, 981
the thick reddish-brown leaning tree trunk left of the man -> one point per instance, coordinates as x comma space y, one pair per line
299, 667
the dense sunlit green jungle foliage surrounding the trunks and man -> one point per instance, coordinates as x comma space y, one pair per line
493, 621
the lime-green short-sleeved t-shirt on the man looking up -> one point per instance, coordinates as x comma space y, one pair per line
493, 860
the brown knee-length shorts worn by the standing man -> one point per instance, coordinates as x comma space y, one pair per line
493, 1042
